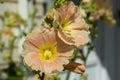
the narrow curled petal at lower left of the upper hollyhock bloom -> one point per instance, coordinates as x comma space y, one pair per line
65, 37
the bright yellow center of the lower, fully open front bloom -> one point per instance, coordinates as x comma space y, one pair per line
48, 52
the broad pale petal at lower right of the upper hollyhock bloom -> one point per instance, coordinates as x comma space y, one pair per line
80, 37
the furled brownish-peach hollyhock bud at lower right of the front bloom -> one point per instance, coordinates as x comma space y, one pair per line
75, 67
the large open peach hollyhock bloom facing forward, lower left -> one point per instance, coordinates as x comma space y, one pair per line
45, 52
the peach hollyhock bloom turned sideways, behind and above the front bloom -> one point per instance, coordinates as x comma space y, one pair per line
73, 30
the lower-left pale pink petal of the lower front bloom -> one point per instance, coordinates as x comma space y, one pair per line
33, 60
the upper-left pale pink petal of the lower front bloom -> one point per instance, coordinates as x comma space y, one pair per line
33, 41
